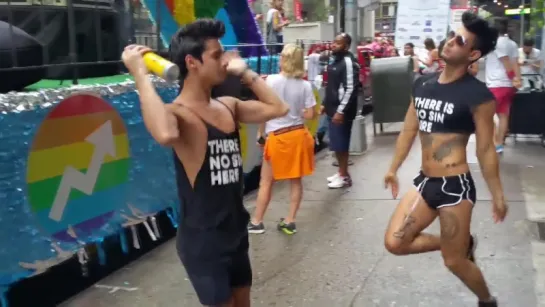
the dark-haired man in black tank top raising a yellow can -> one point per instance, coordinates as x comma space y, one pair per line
212, 240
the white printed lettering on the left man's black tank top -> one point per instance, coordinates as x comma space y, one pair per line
225, 162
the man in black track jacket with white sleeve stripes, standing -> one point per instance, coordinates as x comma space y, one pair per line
340, 104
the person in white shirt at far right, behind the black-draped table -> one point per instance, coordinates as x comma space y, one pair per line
531, 63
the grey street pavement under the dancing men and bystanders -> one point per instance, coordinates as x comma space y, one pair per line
337, 257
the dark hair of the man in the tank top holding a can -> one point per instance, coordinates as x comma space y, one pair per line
191, 40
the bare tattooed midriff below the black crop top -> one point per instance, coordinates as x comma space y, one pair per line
444, 154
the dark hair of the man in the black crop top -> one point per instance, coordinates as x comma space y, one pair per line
486, 36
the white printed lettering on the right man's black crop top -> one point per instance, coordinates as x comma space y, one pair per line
430, 111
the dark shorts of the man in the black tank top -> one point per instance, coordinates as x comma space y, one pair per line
214, 279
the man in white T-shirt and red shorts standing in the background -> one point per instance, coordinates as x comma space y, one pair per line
502, 78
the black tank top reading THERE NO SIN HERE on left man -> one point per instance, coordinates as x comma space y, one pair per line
213, 219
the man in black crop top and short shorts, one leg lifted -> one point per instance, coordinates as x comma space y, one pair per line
447, 108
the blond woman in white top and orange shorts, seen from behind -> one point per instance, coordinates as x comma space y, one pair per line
288, 152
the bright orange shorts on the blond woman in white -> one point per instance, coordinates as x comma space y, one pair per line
290, 152
